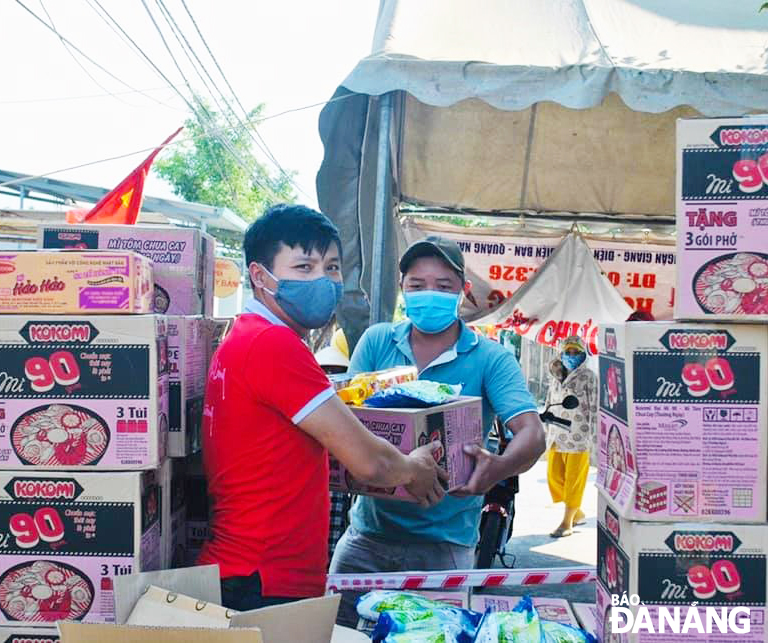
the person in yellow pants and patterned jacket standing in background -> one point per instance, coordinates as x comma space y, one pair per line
570, 447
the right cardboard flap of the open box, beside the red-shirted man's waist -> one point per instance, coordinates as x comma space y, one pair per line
309, 621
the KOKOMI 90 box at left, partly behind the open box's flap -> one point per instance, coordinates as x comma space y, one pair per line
67, 535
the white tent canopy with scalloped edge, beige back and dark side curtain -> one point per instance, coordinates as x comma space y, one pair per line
535, 105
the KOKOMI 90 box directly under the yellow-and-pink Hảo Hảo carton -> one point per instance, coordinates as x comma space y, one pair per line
83, 392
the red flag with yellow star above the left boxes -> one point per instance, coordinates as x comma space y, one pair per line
123, 204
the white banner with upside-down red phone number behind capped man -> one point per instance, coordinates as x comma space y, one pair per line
644, 274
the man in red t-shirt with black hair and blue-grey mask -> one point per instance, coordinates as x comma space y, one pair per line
271, 416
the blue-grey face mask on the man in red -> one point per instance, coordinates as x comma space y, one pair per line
310, 304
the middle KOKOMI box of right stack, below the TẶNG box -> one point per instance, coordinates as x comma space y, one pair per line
683, 423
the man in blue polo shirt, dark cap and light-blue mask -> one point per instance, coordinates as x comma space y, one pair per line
387, 535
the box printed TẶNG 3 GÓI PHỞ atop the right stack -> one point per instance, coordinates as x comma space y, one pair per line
722, 219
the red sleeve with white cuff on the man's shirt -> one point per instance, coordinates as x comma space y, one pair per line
285, 375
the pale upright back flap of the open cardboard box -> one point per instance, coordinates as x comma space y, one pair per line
201, 582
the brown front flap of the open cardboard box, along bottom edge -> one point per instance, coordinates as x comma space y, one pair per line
99, 633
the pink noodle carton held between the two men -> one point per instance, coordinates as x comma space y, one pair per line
453, 425
